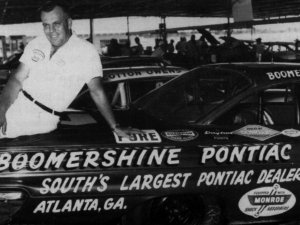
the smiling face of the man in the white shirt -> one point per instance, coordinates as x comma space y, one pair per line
57, 26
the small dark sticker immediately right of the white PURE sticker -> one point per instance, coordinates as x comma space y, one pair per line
180, 135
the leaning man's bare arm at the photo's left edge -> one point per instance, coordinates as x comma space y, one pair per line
10, 92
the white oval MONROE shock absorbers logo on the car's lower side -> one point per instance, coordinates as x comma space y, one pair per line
267, 201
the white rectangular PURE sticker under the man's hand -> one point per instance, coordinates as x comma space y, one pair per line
148, 136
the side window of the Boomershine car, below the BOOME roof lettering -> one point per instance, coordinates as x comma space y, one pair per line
272, 106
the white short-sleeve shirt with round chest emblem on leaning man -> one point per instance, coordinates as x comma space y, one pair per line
56, 81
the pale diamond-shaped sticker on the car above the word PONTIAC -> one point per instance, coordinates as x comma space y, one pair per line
257, 132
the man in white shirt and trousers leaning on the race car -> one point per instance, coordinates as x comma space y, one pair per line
53, 69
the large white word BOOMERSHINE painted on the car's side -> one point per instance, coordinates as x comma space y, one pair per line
89, 159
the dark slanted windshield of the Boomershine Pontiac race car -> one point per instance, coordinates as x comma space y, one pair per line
193, 95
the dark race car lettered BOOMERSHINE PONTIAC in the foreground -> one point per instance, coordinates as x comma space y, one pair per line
218, 145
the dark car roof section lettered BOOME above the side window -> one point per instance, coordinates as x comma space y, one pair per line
263, 73
